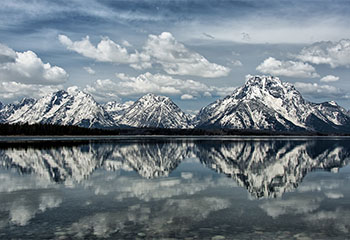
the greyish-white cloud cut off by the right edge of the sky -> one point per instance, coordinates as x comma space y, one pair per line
333, 53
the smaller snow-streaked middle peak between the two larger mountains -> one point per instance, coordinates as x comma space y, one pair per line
155, 111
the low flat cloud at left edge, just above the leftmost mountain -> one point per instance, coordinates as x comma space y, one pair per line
12, 91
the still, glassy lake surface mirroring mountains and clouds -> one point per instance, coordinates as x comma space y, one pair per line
161, 187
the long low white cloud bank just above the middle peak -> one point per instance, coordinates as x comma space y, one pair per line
152, 83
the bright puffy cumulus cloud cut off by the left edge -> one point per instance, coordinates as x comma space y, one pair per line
27, 67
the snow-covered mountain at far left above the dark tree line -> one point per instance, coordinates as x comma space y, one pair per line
71, 107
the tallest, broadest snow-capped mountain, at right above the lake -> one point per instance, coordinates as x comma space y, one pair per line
266, 103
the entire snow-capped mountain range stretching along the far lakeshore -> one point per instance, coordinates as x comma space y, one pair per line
262, 103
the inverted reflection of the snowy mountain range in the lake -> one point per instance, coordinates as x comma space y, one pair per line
267, 168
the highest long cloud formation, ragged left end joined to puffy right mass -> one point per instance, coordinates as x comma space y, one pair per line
163, 49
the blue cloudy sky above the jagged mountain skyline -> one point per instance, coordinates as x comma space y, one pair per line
193, 51
